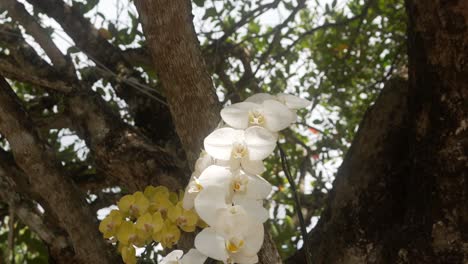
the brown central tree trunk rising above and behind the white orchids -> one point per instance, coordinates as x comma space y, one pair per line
179, 63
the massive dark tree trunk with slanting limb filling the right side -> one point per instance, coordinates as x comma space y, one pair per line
401, 194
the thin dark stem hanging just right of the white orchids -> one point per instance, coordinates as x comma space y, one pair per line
297, 202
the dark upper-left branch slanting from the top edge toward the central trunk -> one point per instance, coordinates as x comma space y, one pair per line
148, 113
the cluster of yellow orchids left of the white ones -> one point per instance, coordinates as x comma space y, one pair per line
153, 215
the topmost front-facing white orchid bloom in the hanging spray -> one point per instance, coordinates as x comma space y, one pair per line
270, 114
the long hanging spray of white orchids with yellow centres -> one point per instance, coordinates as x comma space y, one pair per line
226, 190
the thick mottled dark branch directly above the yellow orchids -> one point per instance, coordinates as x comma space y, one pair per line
120, 151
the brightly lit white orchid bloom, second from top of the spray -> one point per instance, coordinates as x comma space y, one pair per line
242, 148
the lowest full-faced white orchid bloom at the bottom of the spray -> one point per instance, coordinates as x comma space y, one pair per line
234, 238
